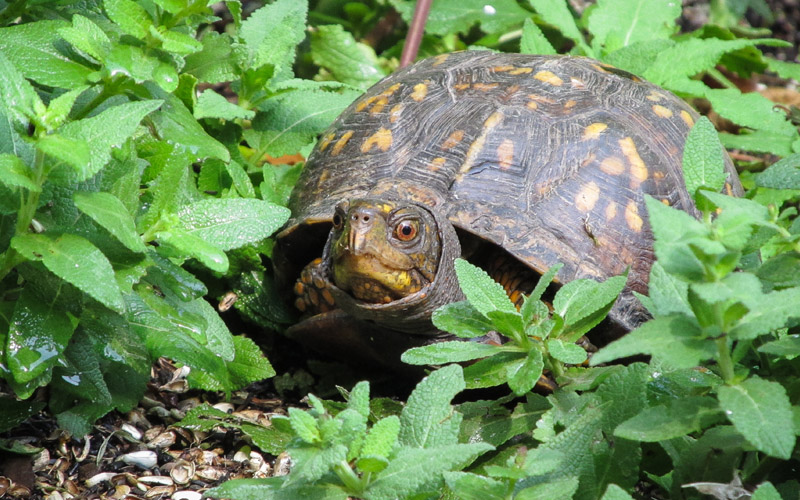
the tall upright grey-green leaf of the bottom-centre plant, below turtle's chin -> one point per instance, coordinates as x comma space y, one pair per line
428, 420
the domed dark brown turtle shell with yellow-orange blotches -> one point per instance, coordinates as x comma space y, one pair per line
547, 157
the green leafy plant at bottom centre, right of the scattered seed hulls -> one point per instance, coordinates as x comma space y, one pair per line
350, 453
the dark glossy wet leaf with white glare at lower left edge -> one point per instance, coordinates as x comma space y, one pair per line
38, 334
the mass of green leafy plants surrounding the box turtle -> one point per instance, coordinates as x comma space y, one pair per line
141, 173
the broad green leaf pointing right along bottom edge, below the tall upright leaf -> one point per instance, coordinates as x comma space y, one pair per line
420, 469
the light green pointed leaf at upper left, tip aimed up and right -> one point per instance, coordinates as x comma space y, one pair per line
105, 131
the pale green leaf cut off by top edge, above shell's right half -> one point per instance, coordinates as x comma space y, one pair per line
618, 23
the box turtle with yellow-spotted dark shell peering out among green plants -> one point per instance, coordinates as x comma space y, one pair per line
513, 161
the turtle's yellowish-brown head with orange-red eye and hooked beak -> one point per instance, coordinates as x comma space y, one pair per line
382, 251
